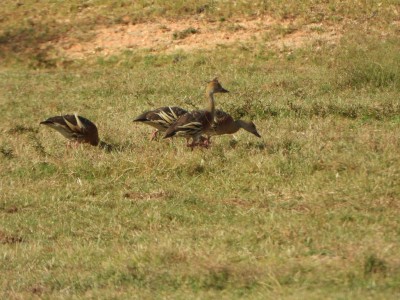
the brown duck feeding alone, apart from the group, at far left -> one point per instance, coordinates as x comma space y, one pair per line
76, 129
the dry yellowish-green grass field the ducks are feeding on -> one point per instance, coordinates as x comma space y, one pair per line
310, 211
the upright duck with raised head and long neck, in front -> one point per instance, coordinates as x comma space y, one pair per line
193, 124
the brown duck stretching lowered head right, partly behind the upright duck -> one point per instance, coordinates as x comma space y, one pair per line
225, 124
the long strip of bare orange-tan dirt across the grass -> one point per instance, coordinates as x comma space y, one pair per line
192, 34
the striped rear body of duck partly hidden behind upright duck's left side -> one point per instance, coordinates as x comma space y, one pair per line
160, 118
